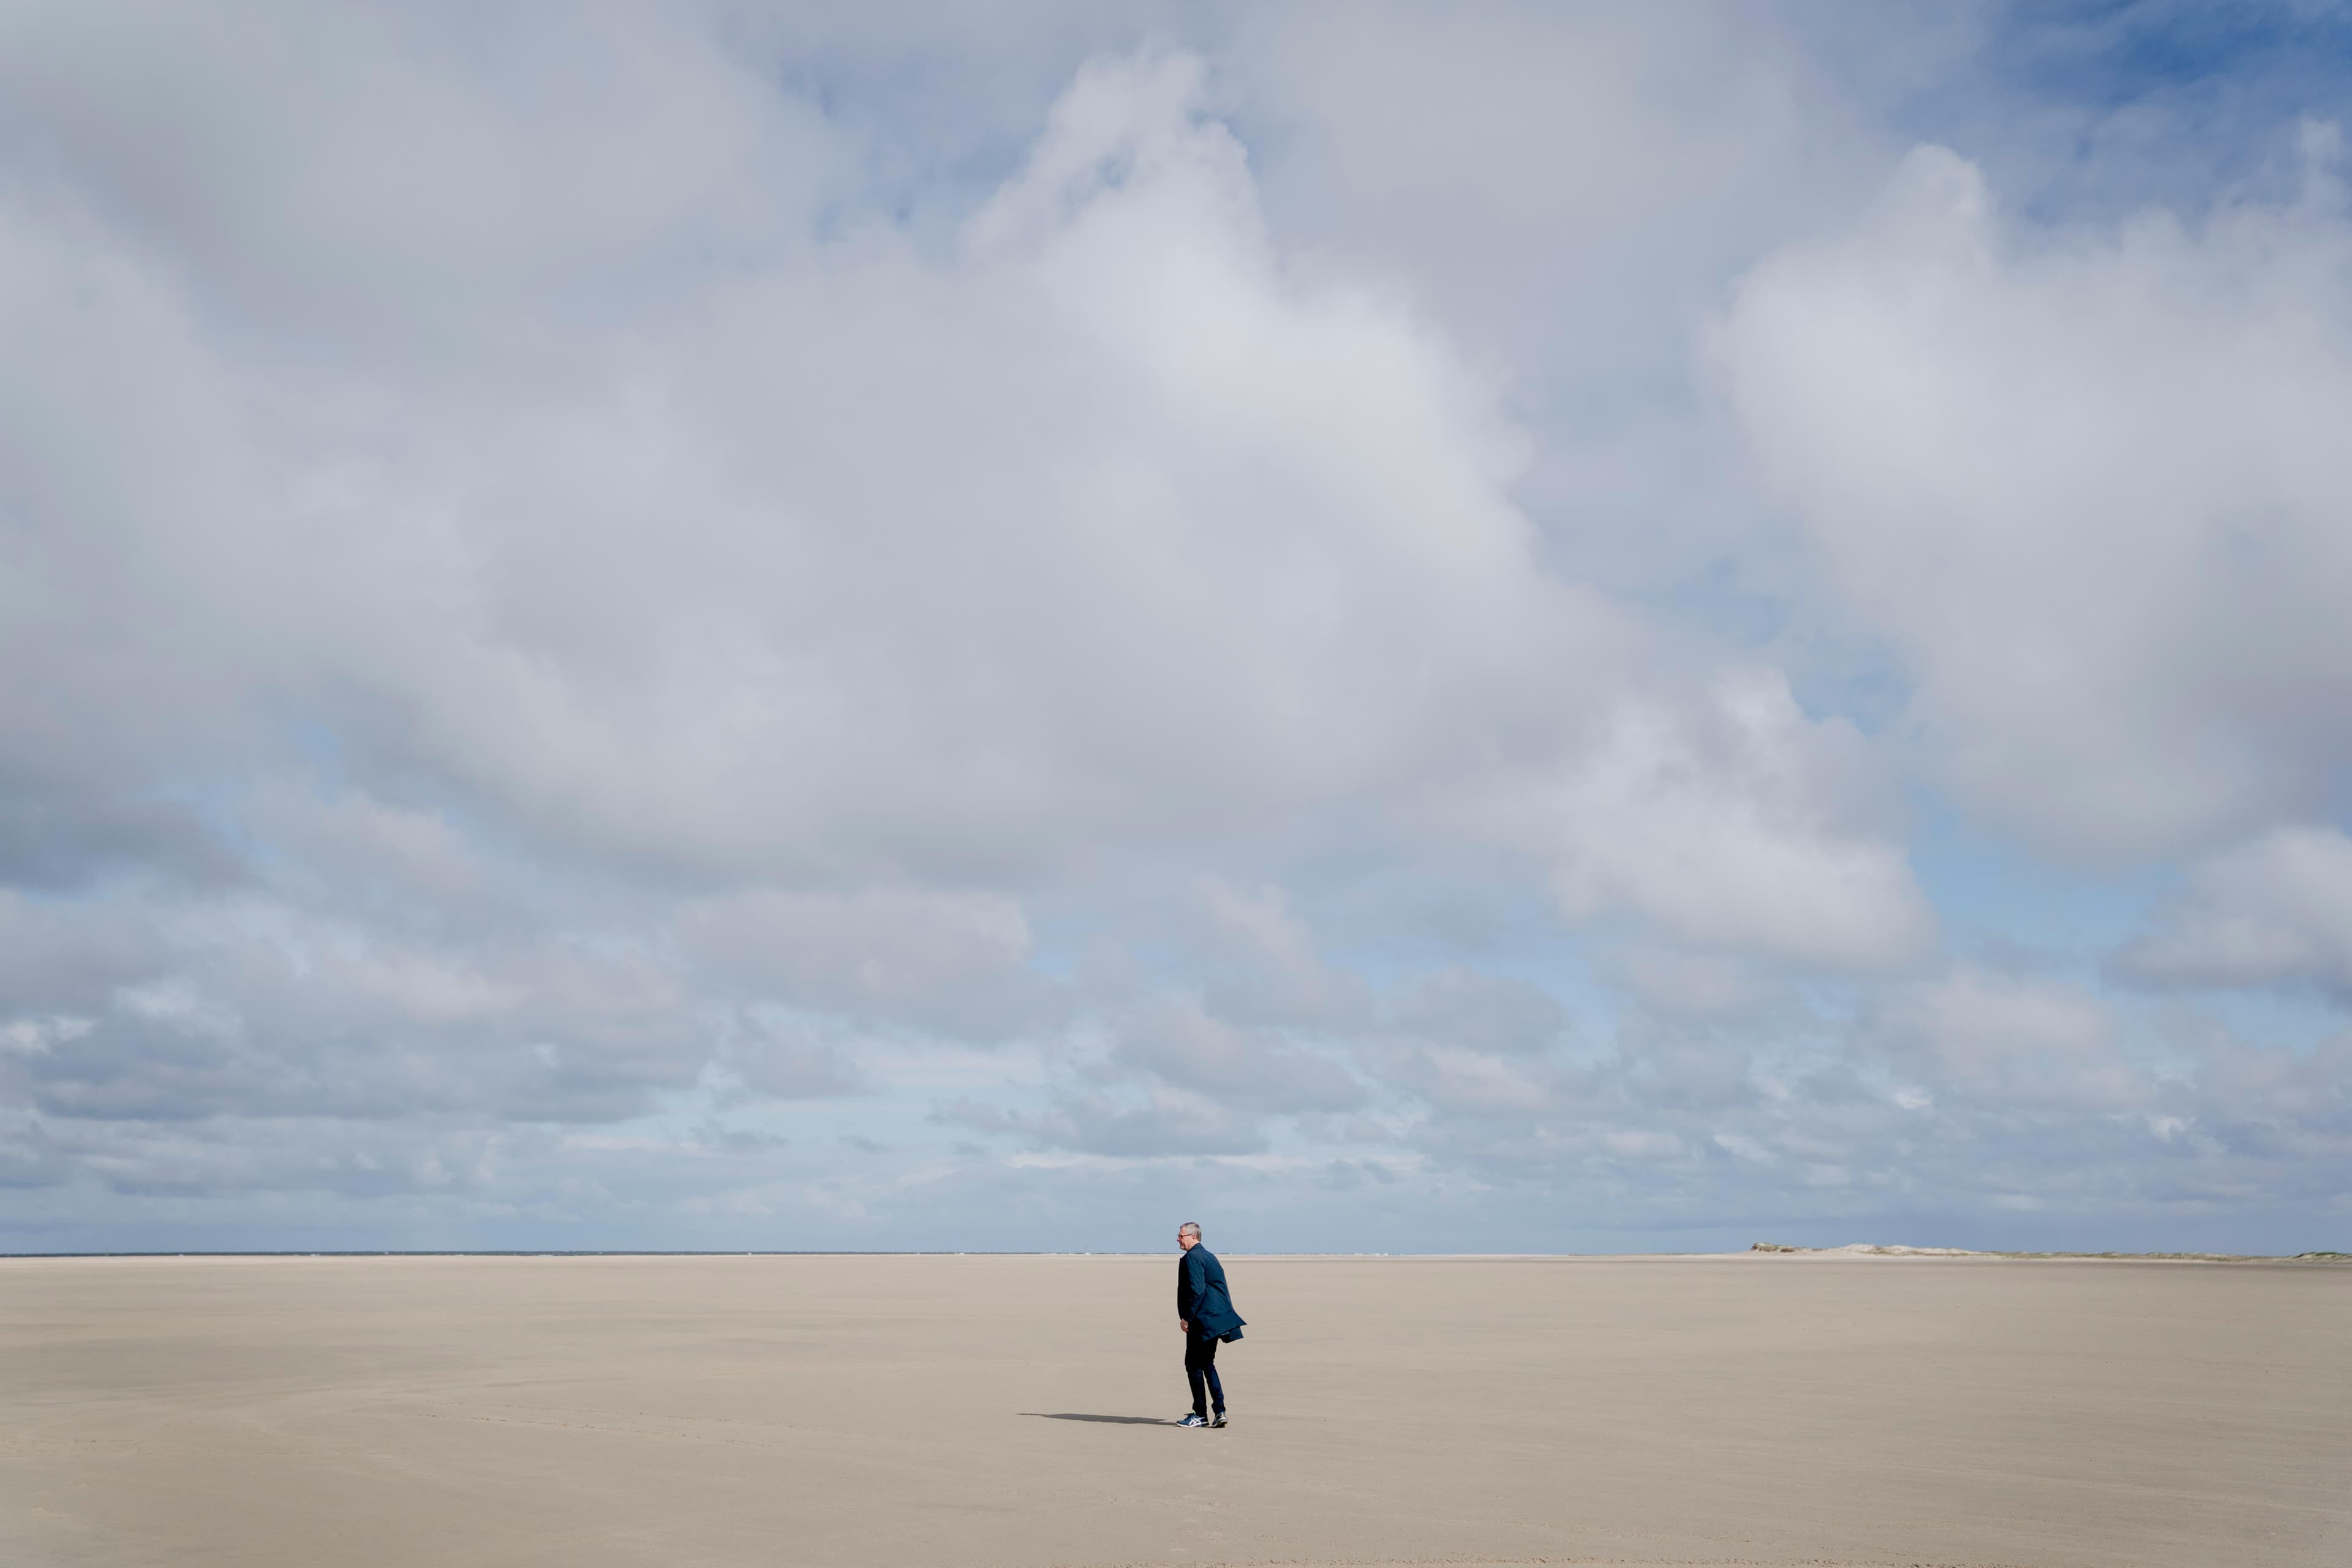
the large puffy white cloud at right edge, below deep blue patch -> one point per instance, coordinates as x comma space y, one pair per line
2090, 483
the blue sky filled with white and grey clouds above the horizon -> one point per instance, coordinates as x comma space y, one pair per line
1382, 626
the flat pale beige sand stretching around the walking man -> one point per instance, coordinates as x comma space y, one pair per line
601, 1412
